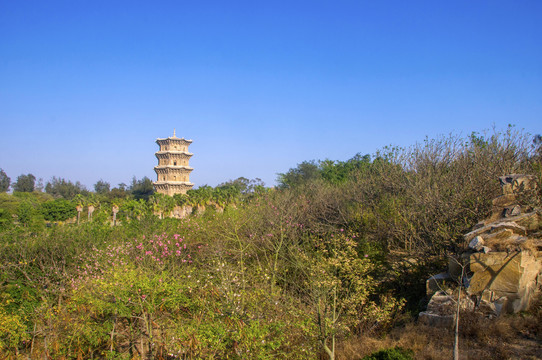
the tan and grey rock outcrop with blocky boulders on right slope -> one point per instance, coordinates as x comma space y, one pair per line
502, 266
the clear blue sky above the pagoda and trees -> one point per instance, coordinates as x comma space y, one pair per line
86, 87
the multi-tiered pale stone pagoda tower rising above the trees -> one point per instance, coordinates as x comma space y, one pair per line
173, 171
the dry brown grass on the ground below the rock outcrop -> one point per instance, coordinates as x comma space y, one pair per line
507, 337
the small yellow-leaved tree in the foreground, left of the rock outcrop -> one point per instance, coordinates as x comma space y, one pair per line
338, 288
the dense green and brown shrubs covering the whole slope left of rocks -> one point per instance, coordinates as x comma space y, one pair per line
338, 250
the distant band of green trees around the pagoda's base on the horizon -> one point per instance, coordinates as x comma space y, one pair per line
32, 205
